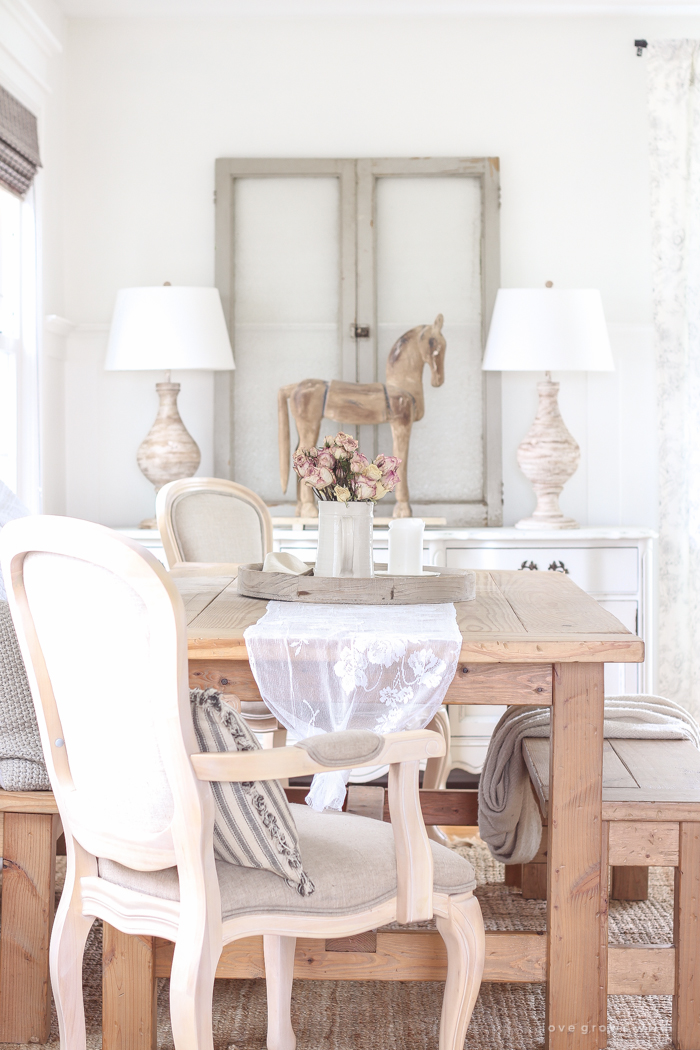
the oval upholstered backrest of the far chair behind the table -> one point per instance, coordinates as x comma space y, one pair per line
213, 520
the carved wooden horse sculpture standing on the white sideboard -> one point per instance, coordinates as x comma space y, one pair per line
400, 403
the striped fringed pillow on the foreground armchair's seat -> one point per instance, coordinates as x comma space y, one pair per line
253, 825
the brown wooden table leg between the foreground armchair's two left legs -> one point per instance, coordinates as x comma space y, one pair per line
130, 991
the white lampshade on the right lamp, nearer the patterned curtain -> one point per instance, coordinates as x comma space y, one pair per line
548, 330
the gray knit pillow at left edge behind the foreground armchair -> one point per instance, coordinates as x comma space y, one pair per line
23, 766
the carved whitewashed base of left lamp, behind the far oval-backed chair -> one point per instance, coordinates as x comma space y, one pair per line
169, 452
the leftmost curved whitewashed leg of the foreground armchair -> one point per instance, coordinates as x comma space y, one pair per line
69, 937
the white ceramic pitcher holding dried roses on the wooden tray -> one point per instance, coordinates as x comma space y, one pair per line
345, 540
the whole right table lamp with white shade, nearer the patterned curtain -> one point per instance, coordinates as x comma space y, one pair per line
548, 330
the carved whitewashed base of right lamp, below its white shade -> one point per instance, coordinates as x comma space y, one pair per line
548, 457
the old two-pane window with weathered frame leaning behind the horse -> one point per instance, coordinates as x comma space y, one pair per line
322, 266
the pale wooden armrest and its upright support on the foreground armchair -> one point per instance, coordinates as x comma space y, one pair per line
404, 753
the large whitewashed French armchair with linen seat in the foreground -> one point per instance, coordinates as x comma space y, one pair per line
103, 634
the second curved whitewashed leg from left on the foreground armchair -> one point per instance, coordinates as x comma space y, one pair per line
193, 991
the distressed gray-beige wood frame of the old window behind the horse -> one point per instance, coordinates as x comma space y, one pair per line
358, 295
